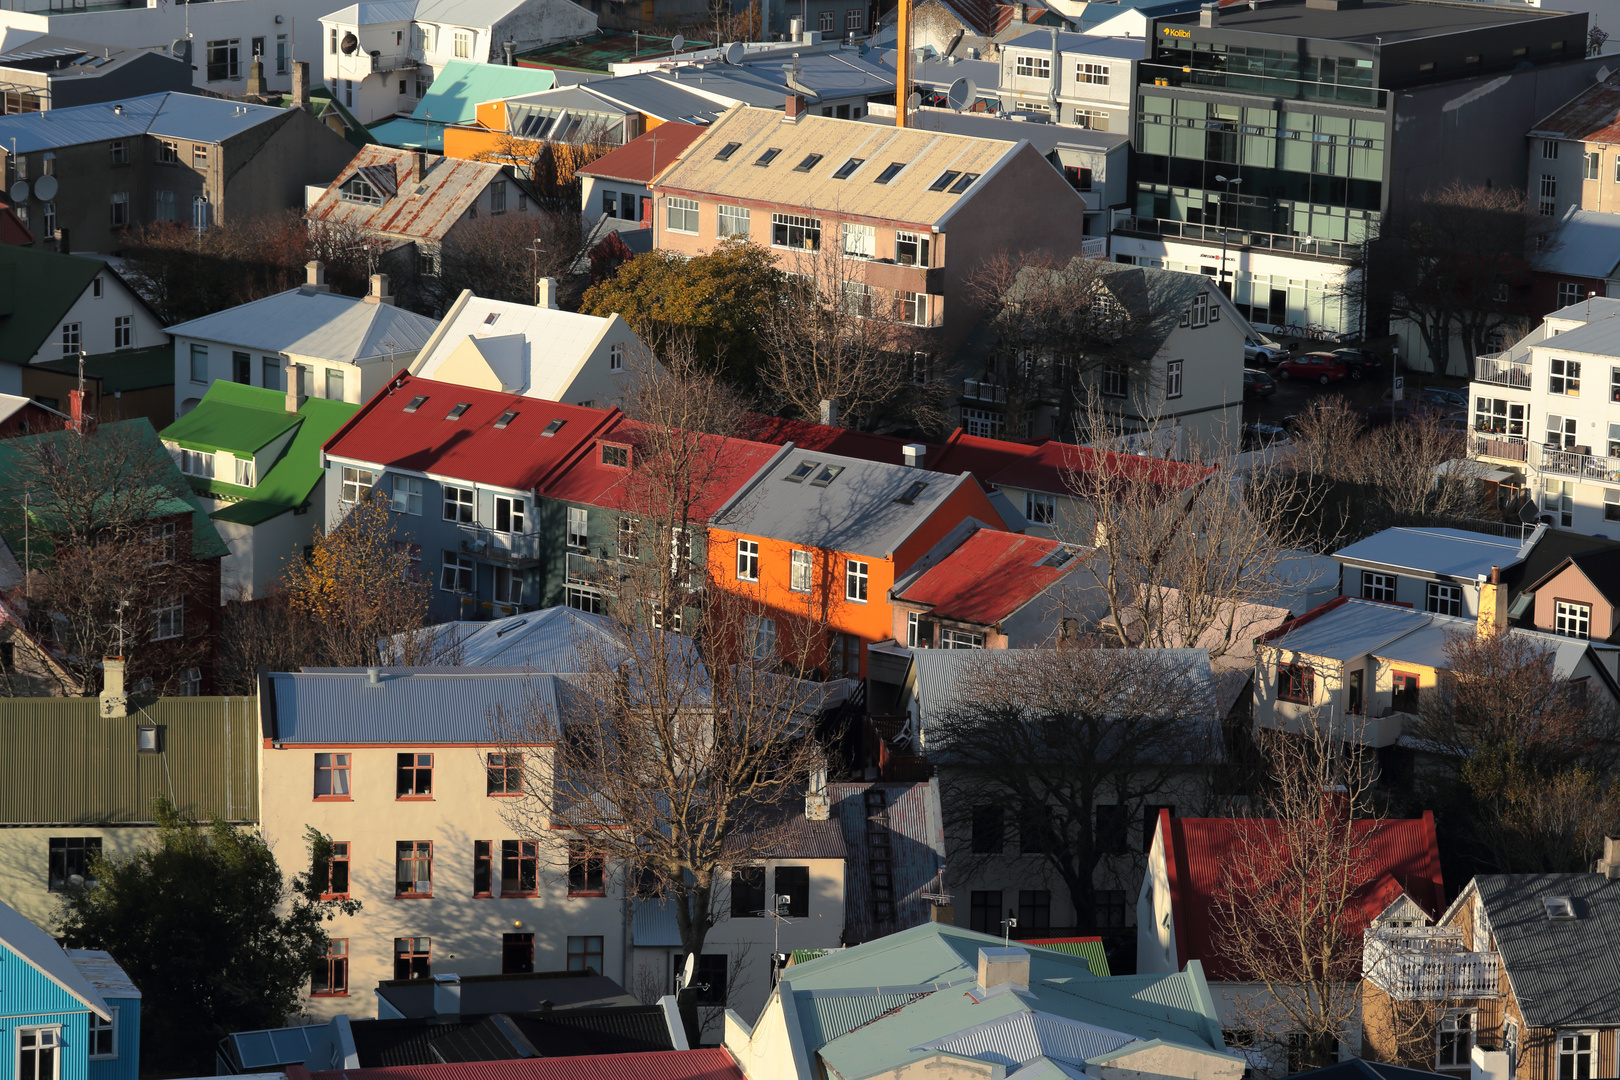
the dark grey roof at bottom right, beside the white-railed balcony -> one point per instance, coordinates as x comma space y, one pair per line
1566, 972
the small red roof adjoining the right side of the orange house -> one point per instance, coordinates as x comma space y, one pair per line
989, 577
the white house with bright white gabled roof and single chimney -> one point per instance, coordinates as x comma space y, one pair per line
539, 352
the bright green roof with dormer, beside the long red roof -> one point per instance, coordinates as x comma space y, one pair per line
289, 482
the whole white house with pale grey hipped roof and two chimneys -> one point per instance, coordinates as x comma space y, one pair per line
346, 347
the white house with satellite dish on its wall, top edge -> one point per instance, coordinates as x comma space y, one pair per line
382, 57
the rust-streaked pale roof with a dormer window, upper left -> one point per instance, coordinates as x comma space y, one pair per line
419, 206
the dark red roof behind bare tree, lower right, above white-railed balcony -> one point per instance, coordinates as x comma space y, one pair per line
1198, 851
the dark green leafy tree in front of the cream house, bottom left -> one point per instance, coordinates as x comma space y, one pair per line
211, 932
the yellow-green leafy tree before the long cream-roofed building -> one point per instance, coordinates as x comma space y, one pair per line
710, 307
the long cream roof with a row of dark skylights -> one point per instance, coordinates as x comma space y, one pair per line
906, 198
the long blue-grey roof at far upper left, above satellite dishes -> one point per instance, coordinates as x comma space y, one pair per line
177, 116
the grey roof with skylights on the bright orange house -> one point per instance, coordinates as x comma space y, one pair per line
858, 512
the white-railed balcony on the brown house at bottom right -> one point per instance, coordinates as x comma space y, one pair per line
1428, 964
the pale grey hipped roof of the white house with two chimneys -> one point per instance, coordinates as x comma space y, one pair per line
315, 325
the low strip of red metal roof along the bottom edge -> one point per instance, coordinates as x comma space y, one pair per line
668, 1065
